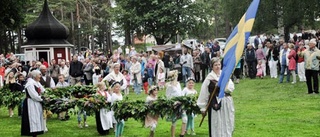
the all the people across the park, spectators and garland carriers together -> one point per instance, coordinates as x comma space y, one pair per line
147, 73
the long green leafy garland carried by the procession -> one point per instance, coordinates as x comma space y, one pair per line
75, 98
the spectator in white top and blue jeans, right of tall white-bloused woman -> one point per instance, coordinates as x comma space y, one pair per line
135, 70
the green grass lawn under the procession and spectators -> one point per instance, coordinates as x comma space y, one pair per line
264, 108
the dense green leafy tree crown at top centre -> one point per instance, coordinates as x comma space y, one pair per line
162, 19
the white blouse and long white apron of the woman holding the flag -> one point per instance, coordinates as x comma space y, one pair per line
222, 120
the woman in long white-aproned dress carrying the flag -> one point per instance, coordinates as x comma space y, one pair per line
220, 114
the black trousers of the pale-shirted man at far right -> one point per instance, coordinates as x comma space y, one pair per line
312, 75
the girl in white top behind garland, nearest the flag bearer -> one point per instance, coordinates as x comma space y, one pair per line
190, 91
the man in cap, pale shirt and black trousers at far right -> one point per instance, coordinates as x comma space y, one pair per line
311, 56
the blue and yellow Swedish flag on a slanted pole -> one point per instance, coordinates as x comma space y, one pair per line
235, 45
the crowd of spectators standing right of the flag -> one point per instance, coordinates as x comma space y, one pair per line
299, 56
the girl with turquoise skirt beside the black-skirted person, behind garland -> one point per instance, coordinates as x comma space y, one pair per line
117, 96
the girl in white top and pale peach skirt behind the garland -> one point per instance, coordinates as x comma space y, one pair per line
152, 120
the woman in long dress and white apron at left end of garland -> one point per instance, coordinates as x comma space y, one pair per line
32, 115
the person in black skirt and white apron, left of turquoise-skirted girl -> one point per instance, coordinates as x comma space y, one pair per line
103, 117
